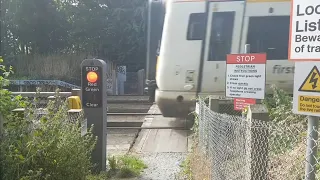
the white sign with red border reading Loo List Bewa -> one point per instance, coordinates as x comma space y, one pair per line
304, 30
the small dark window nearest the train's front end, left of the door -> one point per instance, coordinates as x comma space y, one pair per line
196, 26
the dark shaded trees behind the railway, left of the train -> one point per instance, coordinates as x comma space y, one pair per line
54, 33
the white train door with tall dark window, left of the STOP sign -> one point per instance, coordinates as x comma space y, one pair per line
222, 38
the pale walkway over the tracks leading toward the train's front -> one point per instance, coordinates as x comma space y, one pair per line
163, 150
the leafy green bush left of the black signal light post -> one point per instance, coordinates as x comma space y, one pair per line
49, 147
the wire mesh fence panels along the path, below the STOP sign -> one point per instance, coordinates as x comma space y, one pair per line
242, 149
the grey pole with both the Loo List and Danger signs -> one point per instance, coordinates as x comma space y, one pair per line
303, 47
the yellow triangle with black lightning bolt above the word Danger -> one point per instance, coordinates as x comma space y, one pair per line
312, 81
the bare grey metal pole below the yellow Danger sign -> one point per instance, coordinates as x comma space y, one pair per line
311, 152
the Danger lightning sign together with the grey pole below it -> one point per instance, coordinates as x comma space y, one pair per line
306, 101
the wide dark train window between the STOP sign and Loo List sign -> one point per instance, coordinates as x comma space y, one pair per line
269, 34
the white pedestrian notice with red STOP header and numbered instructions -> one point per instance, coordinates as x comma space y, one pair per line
246, 75
